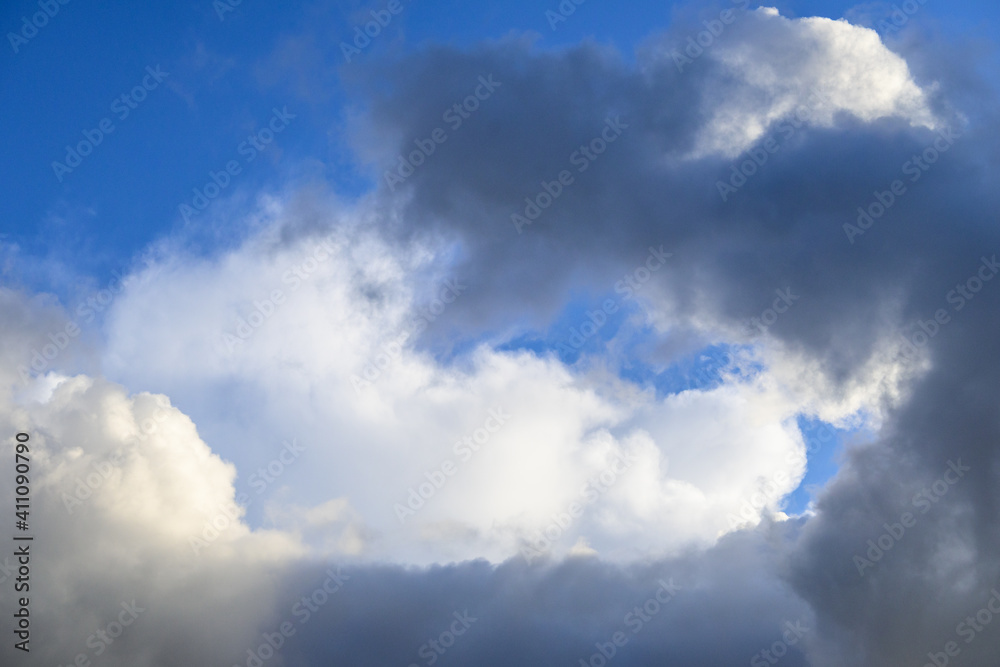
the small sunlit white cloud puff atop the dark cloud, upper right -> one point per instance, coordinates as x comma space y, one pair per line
807, 69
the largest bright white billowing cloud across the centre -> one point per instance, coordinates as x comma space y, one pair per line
700, 455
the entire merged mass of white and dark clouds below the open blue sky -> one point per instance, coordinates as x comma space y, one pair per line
335, 426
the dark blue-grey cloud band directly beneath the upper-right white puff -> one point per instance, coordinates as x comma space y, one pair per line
785, 227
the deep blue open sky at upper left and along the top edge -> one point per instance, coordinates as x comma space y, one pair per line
125, 195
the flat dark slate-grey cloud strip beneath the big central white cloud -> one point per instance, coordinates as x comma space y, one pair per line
555, 613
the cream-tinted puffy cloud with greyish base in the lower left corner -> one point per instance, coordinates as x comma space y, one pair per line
120, 487
